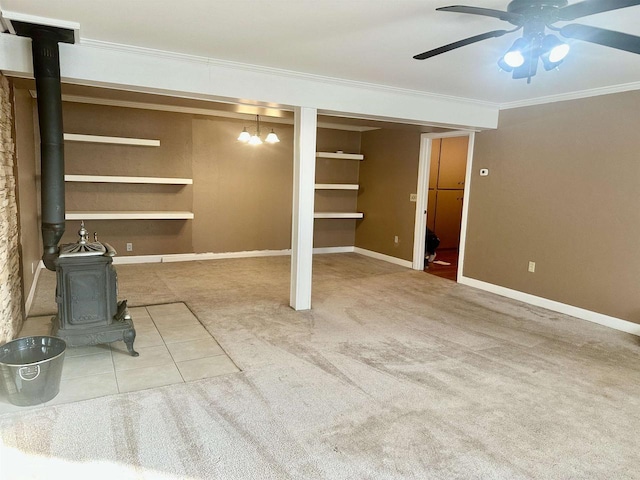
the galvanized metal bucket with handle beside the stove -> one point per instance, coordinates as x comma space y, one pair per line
31, 368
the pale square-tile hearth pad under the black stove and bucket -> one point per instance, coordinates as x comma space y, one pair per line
174, 347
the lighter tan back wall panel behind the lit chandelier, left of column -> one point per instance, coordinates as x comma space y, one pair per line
242, 194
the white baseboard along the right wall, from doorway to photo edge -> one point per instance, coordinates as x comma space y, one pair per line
581, 313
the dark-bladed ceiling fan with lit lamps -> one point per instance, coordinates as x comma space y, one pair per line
534, 17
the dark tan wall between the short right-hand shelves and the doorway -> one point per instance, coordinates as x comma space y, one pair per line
388, 175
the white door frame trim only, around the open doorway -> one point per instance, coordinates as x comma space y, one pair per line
424, 166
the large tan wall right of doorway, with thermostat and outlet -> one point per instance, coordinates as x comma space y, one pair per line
563, 191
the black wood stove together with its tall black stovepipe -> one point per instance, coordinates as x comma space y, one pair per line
87, 285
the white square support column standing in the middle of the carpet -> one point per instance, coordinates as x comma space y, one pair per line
304, 172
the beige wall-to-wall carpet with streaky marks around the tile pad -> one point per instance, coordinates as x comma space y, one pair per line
394, 374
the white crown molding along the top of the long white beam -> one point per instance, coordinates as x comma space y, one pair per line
281, 72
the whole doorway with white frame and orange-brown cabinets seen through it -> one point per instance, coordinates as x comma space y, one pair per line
444, 170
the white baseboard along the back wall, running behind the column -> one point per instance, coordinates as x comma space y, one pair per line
192, 257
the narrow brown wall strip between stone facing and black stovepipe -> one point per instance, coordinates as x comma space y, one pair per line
28, 207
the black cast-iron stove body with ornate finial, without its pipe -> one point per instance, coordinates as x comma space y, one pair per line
87, 296
